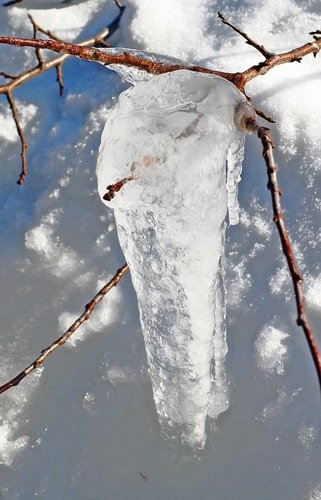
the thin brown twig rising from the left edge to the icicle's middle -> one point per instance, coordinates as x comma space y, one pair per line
62, 340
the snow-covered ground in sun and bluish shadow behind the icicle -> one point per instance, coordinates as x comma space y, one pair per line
85, 426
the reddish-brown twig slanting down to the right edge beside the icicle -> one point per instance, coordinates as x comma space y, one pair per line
278, 217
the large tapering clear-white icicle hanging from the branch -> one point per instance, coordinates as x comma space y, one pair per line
171, 135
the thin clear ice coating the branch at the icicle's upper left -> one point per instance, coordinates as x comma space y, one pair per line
130, 73
